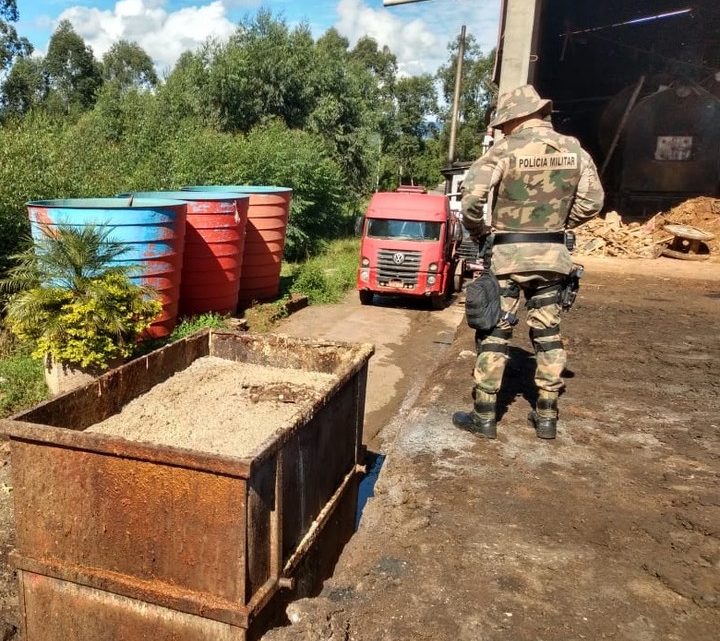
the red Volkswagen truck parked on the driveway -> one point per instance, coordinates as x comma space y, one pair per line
408, 248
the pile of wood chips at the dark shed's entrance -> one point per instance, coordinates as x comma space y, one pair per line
611, 236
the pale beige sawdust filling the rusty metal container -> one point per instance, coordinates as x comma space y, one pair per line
218, 406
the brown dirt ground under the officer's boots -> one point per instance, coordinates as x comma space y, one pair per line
610, 532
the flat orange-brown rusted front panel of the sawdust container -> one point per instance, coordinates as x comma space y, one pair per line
154, 523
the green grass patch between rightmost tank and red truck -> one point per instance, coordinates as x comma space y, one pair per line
327, 277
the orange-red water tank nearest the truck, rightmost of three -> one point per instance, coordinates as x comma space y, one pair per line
267, 227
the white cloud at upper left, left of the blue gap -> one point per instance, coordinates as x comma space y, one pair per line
164, 35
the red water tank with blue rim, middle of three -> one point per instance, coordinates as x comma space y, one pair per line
214, 243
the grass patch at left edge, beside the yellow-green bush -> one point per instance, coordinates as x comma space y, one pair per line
22, 382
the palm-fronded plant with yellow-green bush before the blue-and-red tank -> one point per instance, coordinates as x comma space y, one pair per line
73, 302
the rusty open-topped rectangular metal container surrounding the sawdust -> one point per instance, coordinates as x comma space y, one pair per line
120, 540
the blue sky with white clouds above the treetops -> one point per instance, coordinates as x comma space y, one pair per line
417, 33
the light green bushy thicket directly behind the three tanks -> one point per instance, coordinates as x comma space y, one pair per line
130, 148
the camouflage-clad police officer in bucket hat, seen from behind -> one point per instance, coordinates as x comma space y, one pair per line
545, 183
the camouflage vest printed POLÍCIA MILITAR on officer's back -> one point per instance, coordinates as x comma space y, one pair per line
537, 191
